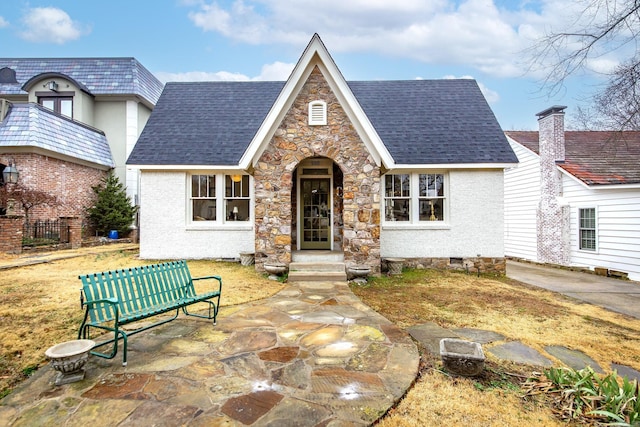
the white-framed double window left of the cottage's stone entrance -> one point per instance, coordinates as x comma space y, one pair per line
219, 198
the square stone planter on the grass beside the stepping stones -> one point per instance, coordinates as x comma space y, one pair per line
462, 357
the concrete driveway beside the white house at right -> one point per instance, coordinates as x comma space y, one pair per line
613, 294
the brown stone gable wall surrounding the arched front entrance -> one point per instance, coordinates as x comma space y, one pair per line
295, 140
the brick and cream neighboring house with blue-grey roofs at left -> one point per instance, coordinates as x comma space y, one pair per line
67, 121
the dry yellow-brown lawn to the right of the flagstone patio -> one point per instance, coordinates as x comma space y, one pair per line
531, 315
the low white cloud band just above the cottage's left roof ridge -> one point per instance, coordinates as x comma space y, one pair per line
277, 71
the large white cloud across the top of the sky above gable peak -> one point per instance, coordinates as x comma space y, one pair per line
474, 33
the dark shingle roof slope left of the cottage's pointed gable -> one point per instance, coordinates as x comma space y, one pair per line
204, 123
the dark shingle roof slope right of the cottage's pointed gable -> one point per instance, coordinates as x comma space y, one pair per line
434, 121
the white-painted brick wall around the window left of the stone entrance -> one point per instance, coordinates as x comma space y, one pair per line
165, 232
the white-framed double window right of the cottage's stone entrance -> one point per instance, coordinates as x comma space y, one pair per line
414, 198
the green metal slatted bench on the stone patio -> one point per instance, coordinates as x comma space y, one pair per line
116, 298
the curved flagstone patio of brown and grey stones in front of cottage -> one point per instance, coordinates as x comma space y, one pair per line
311, 355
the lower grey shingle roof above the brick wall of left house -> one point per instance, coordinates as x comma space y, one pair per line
31, 125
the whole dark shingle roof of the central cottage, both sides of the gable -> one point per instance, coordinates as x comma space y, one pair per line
419, 121
